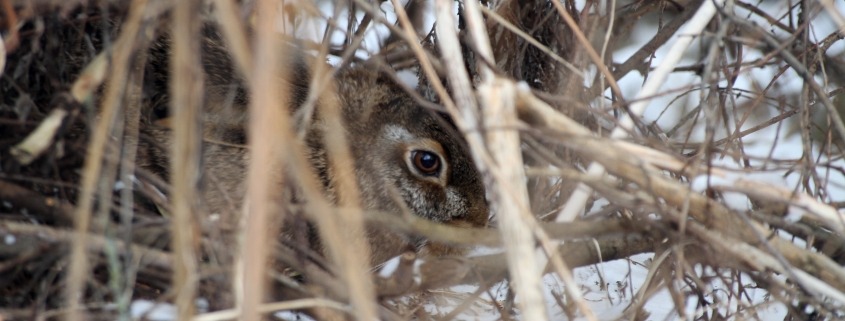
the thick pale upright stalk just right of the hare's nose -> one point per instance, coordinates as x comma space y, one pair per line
508, 197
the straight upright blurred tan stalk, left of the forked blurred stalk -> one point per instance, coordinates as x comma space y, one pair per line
187, 92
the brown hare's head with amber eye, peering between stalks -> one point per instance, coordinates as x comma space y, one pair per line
408, 157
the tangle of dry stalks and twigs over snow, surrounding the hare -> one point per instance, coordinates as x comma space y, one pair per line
535, 88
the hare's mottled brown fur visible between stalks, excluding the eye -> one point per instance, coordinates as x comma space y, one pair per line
381, 123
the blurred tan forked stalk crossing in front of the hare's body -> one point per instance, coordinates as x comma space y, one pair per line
342, 234
